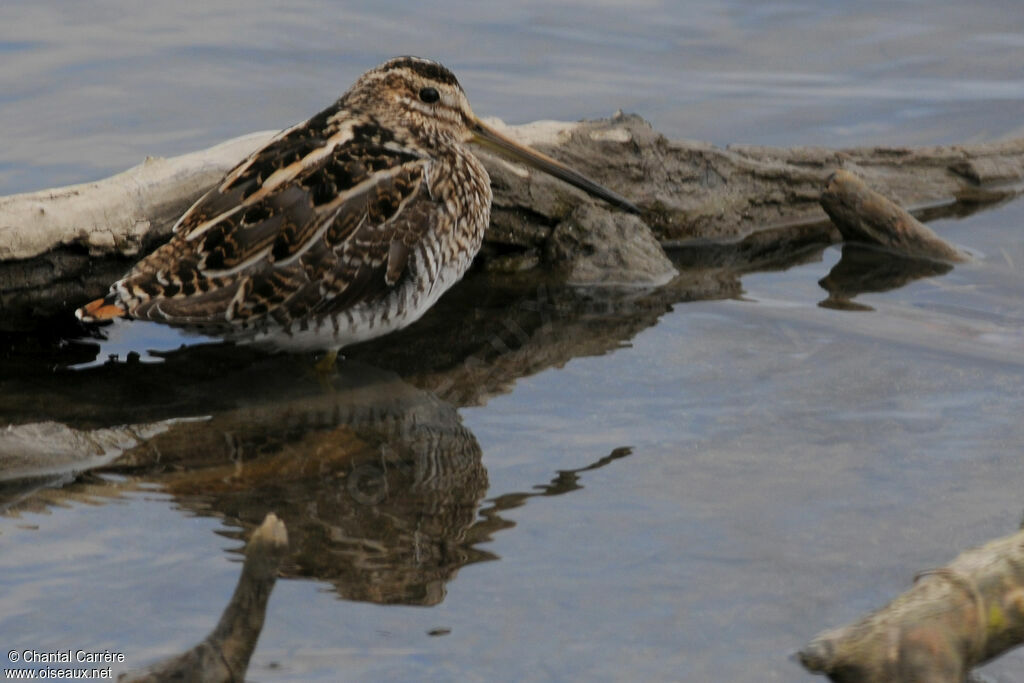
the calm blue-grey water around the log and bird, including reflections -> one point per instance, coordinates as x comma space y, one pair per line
567, 485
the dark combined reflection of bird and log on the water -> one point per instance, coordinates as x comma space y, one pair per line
372, 469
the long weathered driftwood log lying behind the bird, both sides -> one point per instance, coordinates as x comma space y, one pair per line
62, 247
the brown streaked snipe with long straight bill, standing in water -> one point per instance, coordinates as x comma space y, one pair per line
343, 229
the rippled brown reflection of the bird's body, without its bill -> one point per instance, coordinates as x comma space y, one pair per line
377, 482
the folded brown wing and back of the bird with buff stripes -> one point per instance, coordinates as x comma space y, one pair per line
324, 218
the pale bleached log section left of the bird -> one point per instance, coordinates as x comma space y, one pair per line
59, 247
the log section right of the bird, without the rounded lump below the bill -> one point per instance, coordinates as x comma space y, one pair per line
691, 190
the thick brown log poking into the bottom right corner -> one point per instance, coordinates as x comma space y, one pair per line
953, 620
